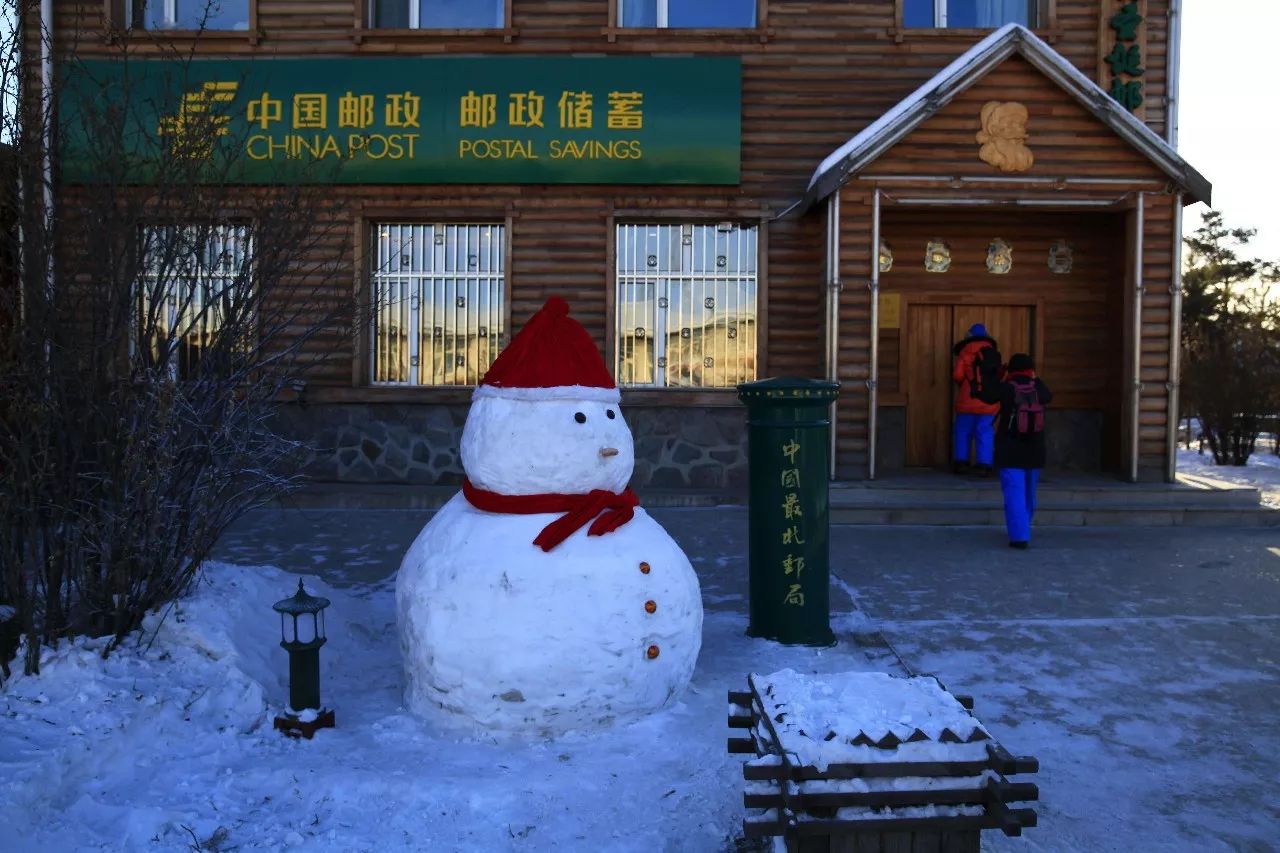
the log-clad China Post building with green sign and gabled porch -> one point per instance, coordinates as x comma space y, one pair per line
726, 190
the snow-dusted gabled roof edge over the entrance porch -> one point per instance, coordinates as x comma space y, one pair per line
972, 66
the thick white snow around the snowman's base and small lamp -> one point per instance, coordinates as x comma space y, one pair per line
171, 745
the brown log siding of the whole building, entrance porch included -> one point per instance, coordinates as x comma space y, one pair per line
813, 76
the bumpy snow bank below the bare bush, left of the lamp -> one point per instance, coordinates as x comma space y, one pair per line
199, 679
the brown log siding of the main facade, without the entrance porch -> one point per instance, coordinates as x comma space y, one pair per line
815, 74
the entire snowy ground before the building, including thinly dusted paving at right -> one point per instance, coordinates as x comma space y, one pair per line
1141, 670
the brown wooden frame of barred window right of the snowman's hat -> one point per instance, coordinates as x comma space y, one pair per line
696, 395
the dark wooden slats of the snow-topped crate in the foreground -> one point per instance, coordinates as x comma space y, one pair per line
802, 804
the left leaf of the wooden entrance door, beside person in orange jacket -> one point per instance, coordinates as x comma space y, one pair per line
929, 385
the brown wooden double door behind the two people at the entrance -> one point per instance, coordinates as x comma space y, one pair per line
932, 331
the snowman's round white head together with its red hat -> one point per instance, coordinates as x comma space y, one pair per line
546, 418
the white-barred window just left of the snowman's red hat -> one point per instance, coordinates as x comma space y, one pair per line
440, 303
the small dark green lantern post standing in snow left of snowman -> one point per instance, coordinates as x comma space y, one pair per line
303, 642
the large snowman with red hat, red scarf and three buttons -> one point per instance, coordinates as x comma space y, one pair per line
542, 599
